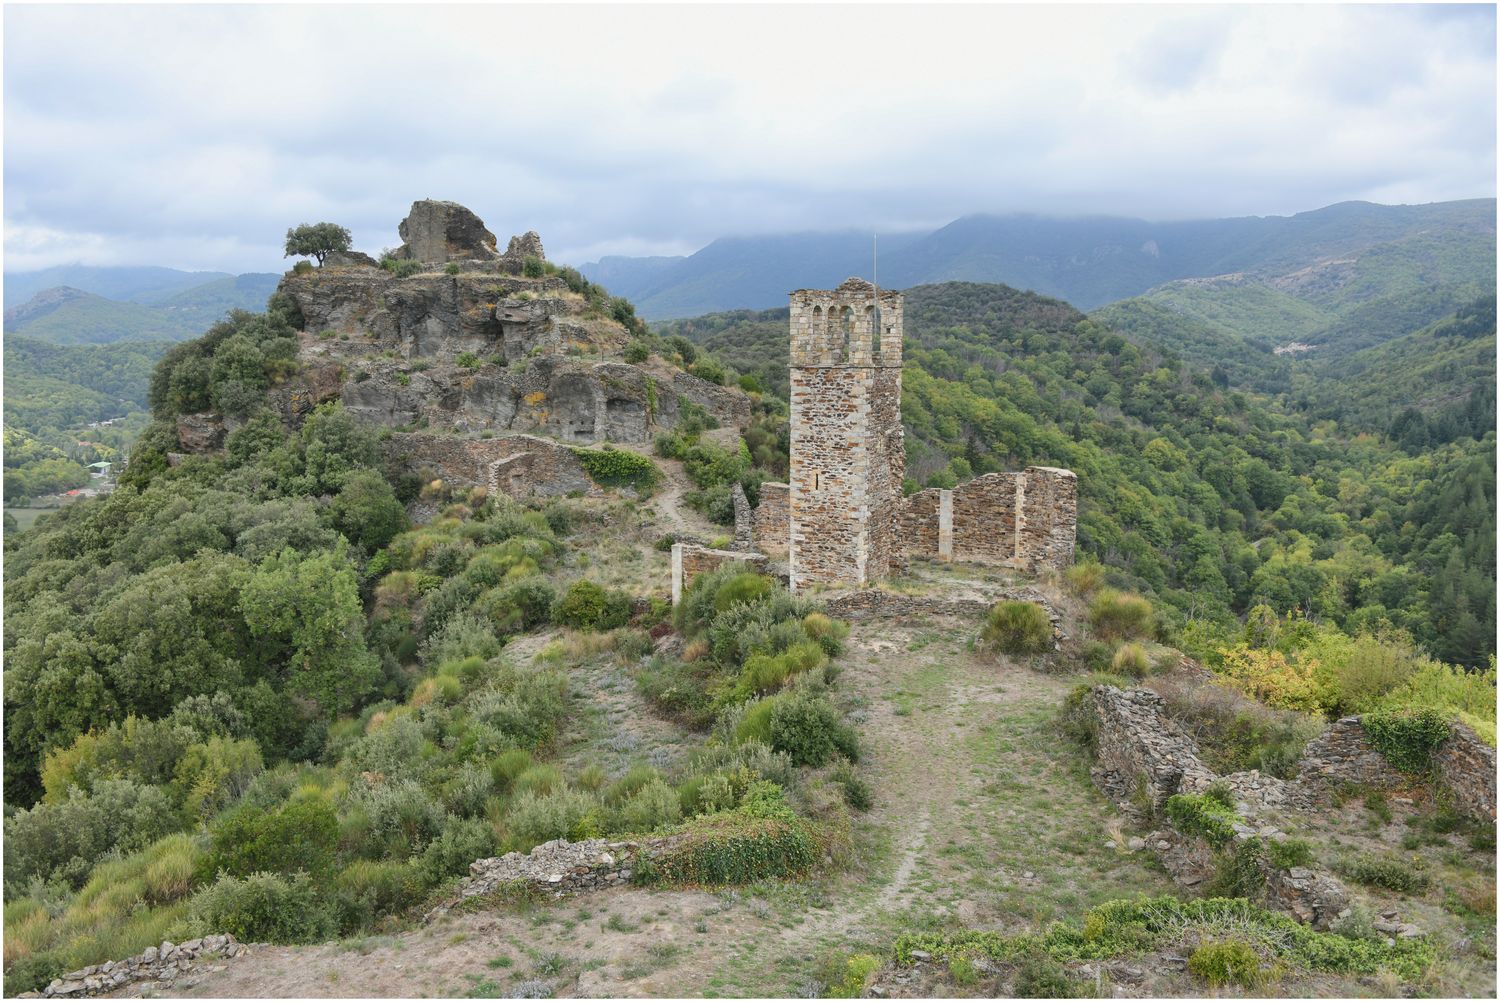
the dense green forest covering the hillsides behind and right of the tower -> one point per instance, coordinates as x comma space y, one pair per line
1210, 499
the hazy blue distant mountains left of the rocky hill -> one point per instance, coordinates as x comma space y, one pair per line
152, 307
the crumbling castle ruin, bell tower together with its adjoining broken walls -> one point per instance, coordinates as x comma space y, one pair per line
842, 520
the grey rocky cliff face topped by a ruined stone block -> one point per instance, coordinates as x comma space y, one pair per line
481, 350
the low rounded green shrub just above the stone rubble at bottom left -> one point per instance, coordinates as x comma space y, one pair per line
263, 908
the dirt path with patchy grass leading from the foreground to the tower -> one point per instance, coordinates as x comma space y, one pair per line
982, 814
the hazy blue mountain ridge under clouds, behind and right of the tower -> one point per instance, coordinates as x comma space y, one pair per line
1330, 259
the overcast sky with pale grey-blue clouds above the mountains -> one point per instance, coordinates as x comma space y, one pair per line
193, 137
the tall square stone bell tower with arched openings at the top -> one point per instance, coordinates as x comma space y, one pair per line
848, 457
